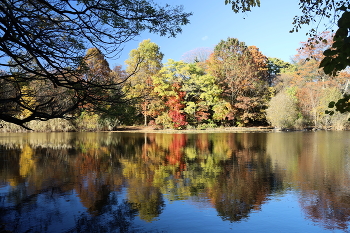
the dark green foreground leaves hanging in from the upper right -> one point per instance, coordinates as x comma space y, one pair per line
336, 58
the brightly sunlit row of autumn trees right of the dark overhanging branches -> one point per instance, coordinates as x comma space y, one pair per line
235, 86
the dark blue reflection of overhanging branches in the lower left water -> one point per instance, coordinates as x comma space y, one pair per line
34, 215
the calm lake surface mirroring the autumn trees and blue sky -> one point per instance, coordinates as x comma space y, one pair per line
205, 182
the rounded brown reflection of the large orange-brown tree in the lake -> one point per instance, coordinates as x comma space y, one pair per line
245, 182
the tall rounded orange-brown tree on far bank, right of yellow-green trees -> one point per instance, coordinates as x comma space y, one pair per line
242, 73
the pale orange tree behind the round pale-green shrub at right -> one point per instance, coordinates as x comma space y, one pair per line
312, 80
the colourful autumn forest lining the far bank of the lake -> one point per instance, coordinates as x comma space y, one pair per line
233, 85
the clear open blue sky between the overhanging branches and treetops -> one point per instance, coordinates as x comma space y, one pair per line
266, 27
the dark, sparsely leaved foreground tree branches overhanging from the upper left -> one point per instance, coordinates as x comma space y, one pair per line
45, 41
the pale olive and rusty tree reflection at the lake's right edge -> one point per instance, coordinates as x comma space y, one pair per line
324, 180
